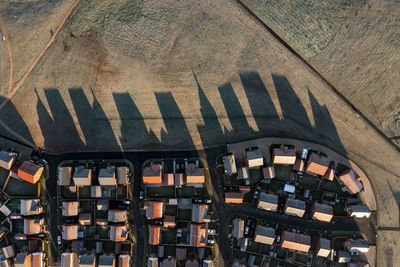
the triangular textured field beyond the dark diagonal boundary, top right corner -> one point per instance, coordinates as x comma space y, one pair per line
353, 44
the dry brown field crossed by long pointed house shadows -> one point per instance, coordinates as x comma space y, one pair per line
185, 75
